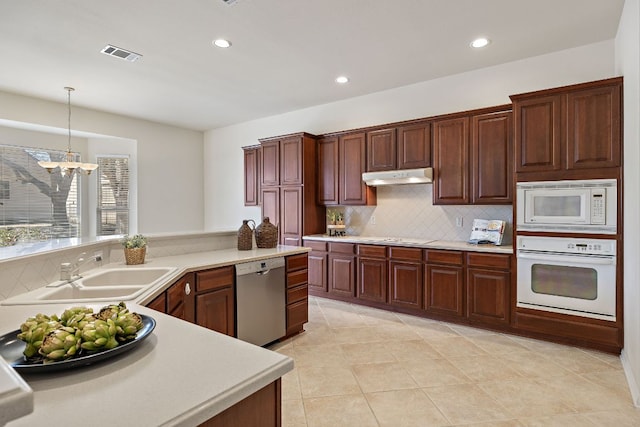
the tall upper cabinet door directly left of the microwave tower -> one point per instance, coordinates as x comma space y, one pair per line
491, 159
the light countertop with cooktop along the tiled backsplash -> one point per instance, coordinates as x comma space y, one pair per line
419, 243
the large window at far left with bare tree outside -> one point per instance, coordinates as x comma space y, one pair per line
36, 205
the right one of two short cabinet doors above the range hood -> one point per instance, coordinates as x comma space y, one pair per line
414, 146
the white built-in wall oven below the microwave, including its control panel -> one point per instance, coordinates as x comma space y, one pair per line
567, 275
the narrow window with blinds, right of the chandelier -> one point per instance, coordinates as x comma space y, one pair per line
113, 195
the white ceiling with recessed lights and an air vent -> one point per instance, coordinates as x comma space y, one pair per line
285, 54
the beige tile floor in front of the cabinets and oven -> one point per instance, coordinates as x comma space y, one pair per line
358, 366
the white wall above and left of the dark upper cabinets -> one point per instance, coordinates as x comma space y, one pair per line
223, 175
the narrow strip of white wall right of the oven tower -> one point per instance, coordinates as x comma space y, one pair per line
628, 64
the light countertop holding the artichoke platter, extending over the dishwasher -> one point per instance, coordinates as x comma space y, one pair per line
181, 375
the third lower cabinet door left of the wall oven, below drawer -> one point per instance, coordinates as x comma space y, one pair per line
405, 284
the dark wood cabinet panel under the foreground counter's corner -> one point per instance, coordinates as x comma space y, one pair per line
261, 409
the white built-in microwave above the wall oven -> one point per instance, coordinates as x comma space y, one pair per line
578, 206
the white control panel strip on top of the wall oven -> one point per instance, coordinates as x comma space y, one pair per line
567, 245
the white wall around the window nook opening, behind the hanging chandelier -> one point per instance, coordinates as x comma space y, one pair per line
170, 167
